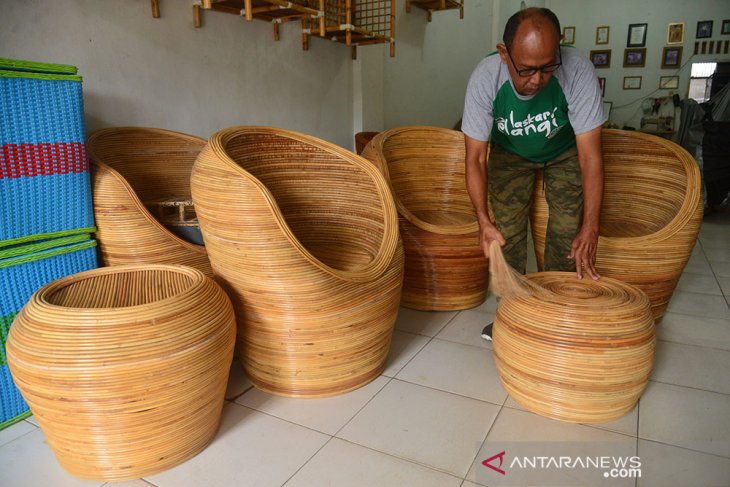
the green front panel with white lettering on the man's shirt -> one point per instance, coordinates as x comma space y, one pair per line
537, 129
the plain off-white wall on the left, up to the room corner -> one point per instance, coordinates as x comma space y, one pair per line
165, 73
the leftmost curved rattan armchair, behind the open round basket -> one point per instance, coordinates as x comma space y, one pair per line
133, 167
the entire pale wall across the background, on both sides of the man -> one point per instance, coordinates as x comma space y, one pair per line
165, 73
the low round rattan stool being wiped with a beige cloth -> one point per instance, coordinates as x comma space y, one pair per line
571, 349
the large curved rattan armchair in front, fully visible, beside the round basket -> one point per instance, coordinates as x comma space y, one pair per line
304, 236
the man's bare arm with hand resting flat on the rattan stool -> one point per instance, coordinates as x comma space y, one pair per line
590, 157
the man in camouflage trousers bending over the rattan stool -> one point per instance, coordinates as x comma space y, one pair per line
539, 104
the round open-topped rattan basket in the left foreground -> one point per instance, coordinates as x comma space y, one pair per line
125, 368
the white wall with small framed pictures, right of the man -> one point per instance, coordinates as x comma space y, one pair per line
586, 15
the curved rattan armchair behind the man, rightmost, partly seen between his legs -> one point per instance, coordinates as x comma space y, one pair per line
651, 214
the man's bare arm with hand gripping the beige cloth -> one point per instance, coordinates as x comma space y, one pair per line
476, 185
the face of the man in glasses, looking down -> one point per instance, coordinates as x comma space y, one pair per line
534, 48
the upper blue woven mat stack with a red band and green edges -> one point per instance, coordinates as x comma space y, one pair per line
44, 174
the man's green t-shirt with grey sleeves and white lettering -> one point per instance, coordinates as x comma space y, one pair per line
540, 126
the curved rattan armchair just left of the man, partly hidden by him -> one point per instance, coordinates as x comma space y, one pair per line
445, 266
